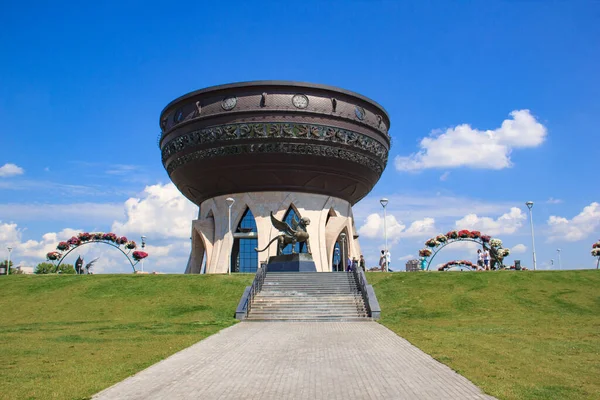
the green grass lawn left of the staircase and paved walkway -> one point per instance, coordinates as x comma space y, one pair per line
68, 337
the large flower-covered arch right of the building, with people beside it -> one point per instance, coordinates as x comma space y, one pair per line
435, 244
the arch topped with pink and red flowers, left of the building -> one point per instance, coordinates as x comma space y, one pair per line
83, 238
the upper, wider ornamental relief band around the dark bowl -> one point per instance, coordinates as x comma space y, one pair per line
275, 130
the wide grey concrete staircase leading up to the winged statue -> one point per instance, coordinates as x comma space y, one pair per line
308, 296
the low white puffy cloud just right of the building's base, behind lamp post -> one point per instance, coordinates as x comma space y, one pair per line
373, 228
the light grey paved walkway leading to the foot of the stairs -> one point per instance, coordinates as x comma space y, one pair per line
298, 360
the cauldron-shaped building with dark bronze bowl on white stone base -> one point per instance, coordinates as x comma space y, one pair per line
242, 150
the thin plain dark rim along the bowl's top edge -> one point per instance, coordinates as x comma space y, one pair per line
277, 83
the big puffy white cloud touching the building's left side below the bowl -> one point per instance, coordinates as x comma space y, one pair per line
161, 212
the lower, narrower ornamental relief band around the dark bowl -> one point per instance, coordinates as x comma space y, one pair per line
279, 147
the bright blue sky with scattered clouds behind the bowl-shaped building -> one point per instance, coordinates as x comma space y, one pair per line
81, 89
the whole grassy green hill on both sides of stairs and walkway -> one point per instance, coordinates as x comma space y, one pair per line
518, 335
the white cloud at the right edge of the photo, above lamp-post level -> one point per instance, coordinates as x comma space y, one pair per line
580, 227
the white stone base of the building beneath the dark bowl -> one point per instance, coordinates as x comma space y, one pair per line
212, 241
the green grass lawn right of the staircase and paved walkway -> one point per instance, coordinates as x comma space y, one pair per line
517, 335
